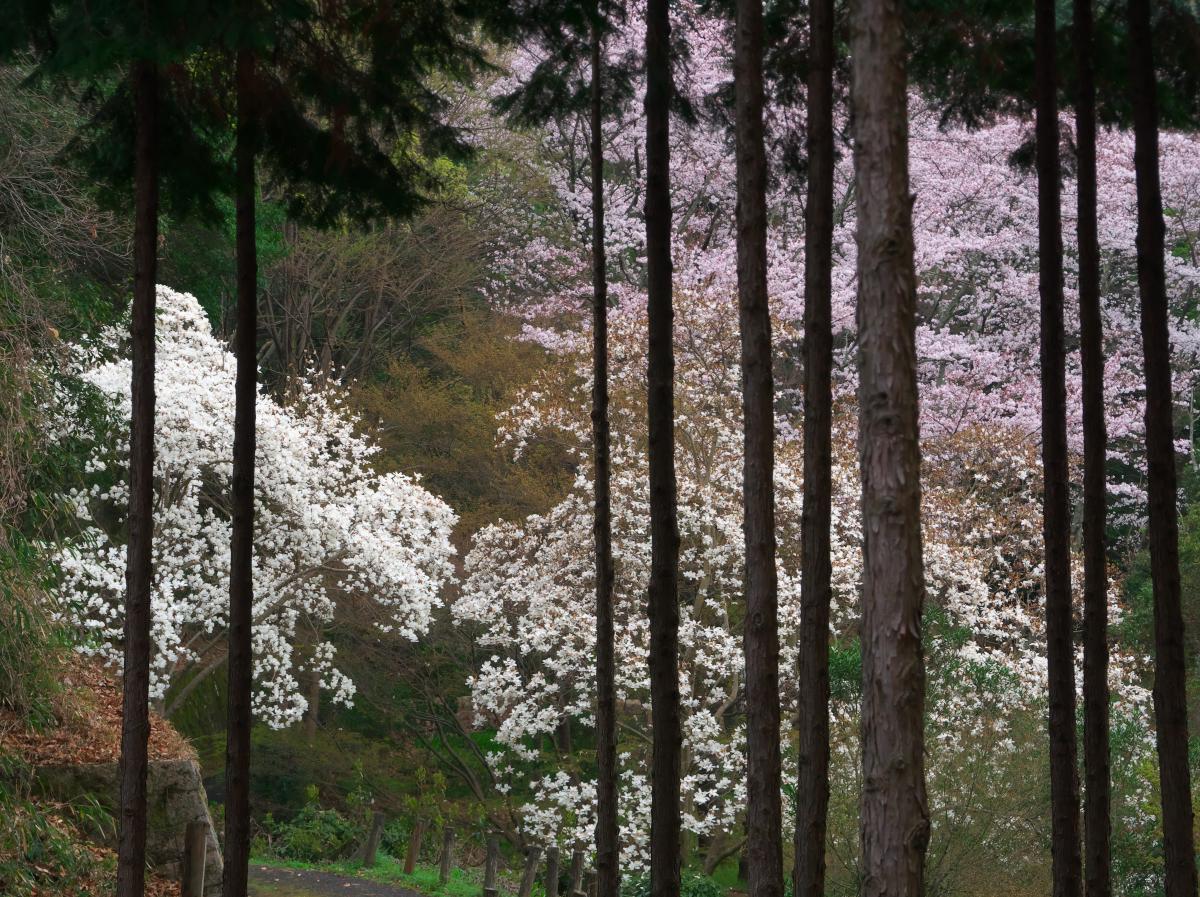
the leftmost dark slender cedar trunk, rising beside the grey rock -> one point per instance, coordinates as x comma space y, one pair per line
140, 559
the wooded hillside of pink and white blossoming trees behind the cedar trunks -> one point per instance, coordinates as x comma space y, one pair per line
424, 577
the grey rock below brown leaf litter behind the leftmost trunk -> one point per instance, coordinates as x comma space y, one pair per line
176, 797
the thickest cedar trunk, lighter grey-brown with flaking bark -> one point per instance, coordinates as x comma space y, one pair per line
895, 812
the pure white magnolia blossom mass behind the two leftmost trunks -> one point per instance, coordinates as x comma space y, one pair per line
329, 531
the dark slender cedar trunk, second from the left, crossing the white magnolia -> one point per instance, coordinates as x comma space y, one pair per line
242, 591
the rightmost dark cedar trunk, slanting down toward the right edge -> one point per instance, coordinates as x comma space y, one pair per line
1171, 695
